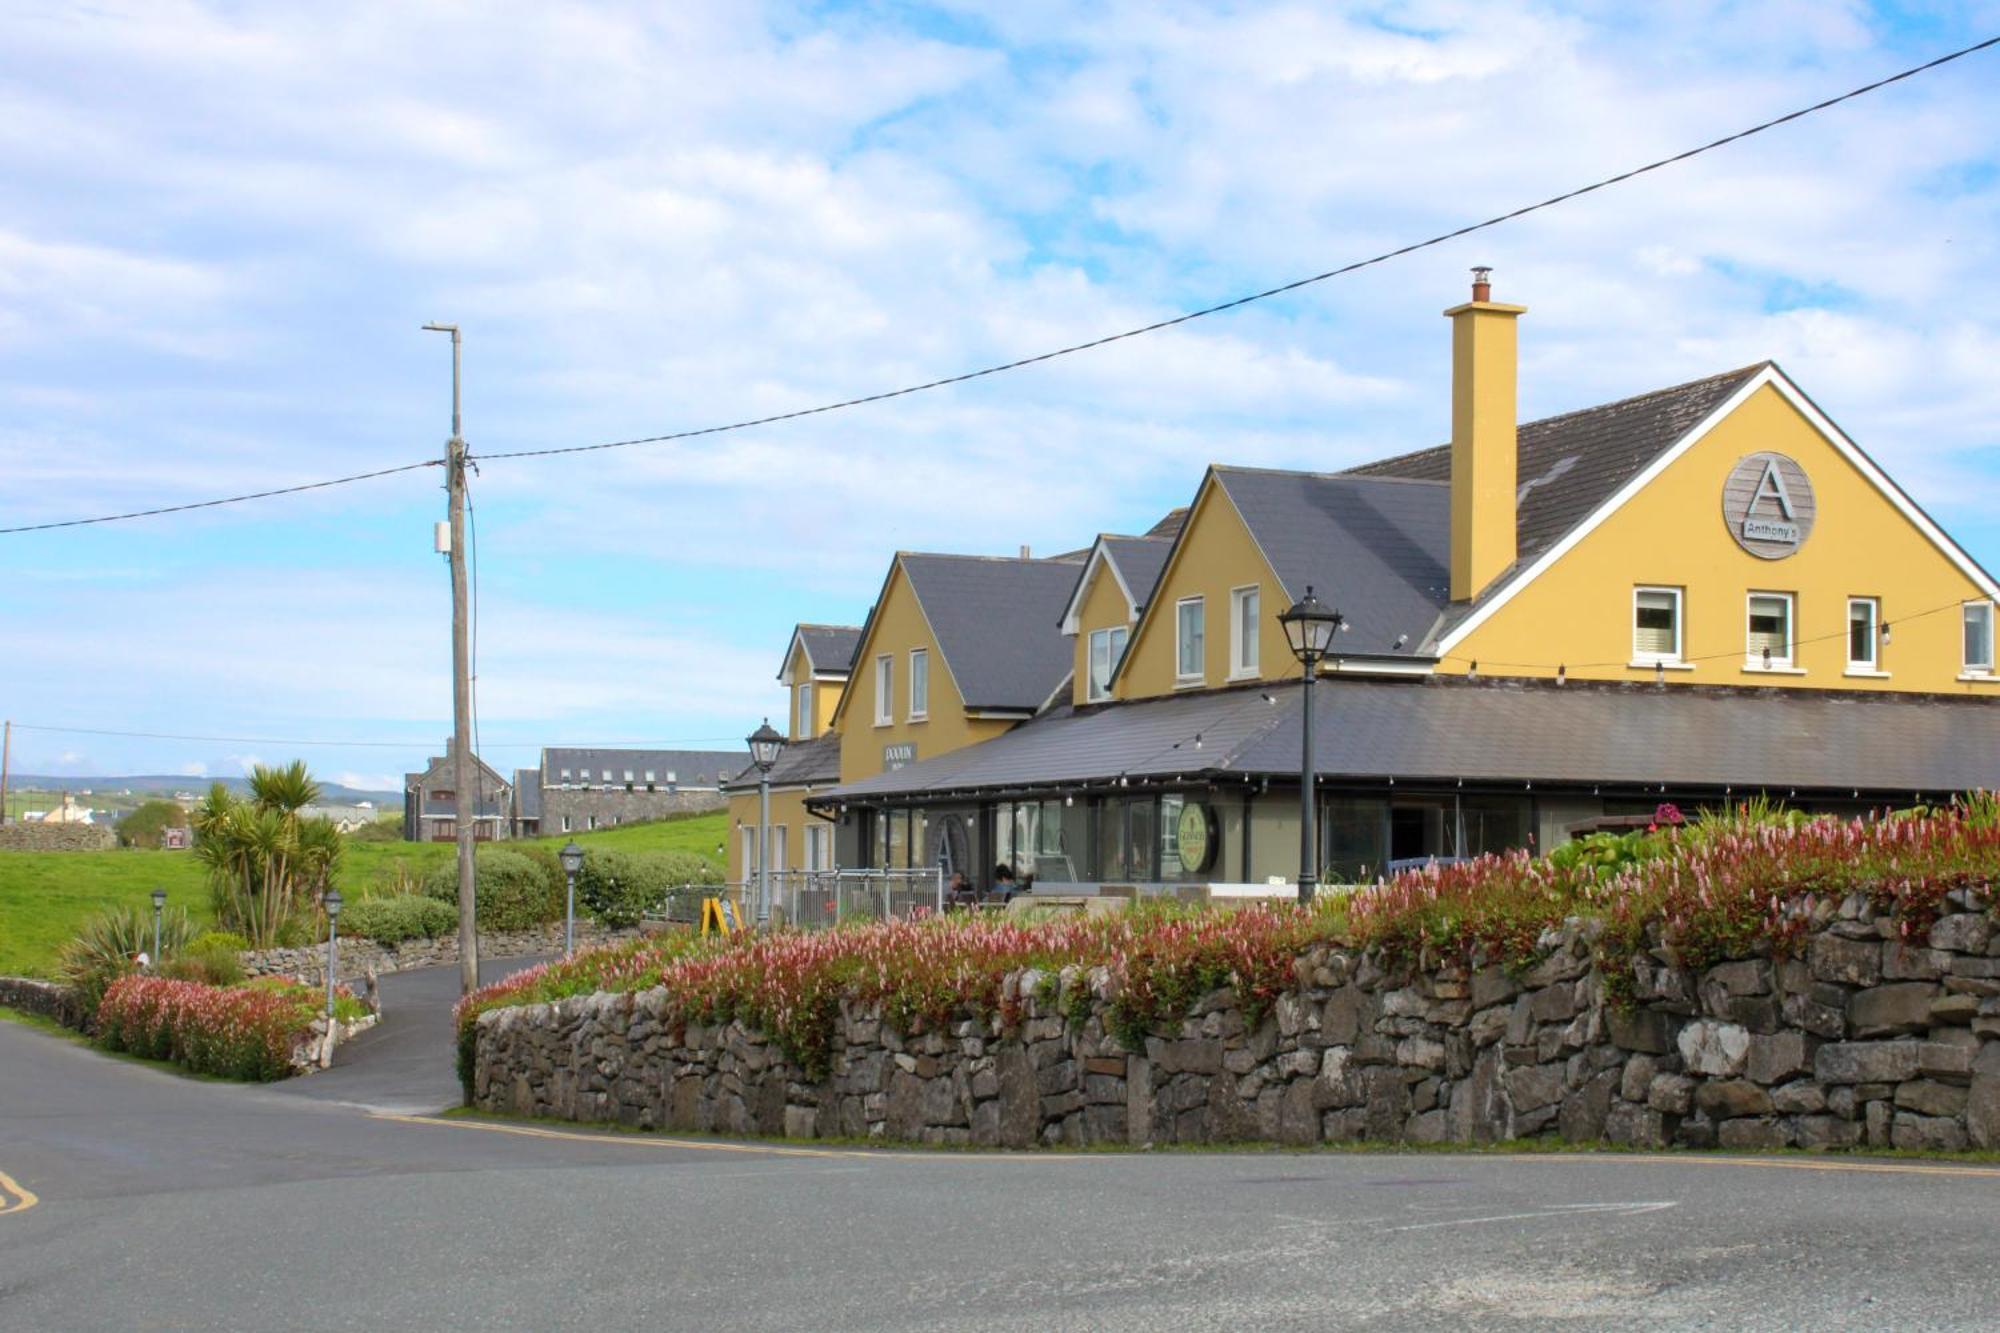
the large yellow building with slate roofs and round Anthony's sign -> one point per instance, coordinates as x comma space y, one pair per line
1683, 597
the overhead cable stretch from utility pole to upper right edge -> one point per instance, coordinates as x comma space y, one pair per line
1271, 291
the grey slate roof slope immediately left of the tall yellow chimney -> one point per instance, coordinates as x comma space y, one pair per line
1373, 547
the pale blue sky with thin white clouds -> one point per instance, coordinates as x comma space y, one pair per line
225, 225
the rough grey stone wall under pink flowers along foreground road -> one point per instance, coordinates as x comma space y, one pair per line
1867, 1040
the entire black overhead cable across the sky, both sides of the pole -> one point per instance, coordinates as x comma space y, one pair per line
1093, 343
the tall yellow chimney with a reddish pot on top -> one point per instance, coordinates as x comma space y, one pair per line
1483, 439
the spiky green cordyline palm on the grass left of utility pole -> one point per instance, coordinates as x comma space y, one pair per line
265, 862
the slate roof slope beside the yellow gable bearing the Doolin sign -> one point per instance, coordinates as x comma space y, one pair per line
997, 623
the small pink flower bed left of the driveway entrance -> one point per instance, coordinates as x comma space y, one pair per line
247, 1032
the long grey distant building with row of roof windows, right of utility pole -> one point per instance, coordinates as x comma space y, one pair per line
597, 790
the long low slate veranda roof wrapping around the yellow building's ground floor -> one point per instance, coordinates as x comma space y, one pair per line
1503, 734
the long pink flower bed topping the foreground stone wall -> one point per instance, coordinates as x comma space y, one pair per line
1717, 888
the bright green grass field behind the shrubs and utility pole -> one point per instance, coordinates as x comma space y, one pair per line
45, 896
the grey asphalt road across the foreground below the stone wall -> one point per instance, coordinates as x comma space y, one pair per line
175, 1204
